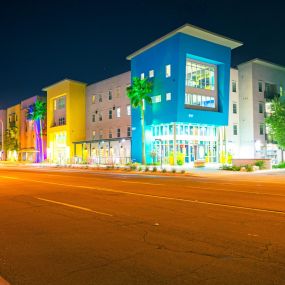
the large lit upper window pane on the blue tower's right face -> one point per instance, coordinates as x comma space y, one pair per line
199, 75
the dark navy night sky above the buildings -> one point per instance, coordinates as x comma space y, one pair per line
42, 42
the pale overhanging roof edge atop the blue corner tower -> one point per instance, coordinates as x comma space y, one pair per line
204, 34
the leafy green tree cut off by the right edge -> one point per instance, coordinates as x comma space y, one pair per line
276, 122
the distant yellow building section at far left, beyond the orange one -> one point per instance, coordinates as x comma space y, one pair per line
13, 127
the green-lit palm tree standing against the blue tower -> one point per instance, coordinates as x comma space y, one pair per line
138, 94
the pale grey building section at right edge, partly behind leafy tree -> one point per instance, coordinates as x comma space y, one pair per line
259, 82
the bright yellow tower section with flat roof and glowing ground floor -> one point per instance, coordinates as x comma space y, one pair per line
65, 119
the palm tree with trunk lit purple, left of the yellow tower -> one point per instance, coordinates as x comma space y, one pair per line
37, 113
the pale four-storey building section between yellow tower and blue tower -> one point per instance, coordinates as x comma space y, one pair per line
108, 121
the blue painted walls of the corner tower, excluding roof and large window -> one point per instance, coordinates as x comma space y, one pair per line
174, 51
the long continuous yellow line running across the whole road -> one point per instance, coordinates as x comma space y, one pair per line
152, 196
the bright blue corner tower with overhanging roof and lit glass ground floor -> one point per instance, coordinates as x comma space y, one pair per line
190, 70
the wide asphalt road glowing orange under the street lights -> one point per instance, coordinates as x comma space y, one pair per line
87, 227
